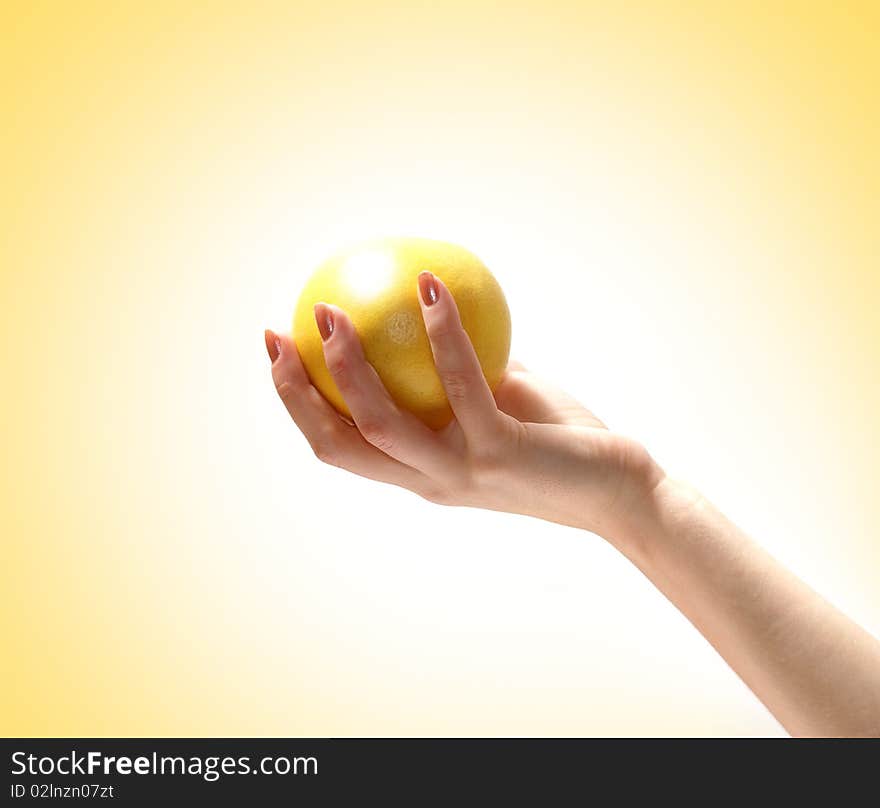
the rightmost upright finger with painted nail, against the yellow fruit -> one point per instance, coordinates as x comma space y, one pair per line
456, 361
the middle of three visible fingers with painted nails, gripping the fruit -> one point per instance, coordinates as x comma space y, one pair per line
383, 424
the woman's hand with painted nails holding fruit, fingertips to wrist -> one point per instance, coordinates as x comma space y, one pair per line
528, 449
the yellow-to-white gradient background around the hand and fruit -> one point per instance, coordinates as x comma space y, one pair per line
682, 202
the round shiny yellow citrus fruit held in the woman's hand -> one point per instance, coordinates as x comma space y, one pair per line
376, 285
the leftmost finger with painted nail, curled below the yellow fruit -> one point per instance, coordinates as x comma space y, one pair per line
332, 440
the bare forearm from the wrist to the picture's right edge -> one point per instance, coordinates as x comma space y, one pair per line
814, 669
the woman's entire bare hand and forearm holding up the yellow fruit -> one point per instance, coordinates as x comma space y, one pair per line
532, 449
